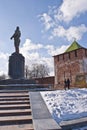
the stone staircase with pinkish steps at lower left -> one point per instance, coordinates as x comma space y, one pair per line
15, 110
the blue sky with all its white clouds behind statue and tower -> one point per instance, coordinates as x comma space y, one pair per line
47, 27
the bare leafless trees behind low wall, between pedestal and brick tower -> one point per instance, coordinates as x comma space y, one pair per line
37, 71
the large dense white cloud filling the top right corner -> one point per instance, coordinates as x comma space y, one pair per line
70, 9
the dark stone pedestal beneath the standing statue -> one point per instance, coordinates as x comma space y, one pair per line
16, 66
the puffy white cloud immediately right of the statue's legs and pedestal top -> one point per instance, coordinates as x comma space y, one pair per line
30, 51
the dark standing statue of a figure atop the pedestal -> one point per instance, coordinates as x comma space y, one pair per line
16, 37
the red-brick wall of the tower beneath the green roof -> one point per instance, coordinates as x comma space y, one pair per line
68, 65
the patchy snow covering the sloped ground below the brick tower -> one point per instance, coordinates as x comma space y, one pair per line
66, 105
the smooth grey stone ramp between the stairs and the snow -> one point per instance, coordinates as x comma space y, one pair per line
42, 119
